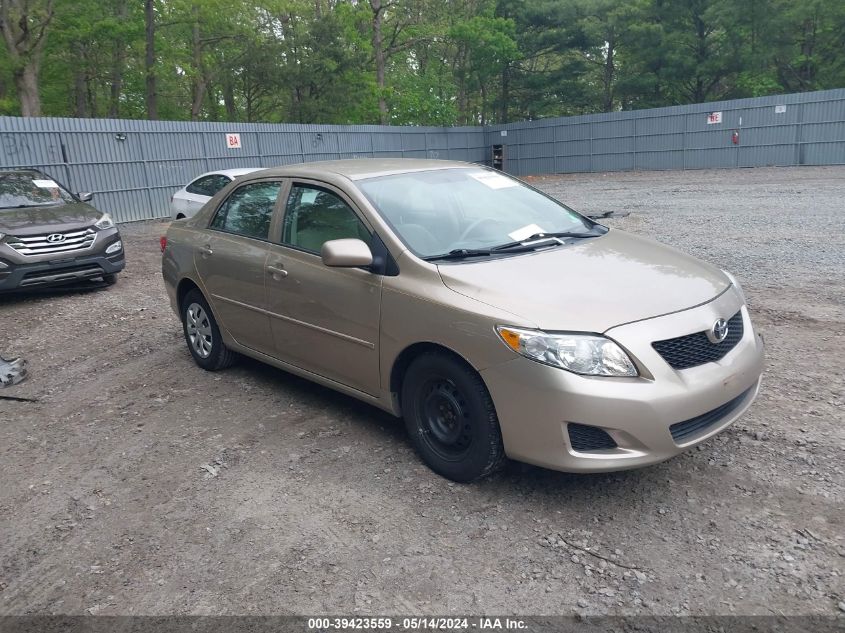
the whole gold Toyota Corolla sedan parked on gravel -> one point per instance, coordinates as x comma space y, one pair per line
495, 320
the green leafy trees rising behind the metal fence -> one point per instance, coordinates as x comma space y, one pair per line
445, 63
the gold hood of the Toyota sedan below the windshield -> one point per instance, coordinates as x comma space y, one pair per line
591, 285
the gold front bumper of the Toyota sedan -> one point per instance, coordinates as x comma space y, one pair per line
536, 403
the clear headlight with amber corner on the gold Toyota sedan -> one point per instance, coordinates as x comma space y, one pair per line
585, 354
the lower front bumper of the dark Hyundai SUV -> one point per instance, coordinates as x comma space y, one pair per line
59, 272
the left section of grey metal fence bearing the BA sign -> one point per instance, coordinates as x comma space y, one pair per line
135, 166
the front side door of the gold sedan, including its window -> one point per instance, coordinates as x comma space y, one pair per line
324, 320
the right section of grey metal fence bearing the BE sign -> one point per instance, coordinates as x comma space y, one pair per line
796, 129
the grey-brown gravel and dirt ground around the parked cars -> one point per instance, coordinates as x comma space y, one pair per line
136, 483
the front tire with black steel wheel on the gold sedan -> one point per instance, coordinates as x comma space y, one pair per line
450, 418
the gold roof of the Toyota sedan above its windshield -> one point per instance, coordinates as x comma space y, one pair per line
360, 168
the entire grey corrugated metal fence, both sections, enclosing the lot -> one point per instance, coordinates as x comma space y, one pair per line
134, 166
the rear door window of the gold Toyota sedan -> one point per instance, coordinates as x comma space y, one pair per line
248, 210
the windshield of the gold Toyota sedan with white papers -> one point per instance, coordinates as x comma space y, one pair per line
441, 211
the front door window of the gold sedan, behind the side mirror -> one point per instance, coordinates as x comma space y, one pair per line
315, 216
